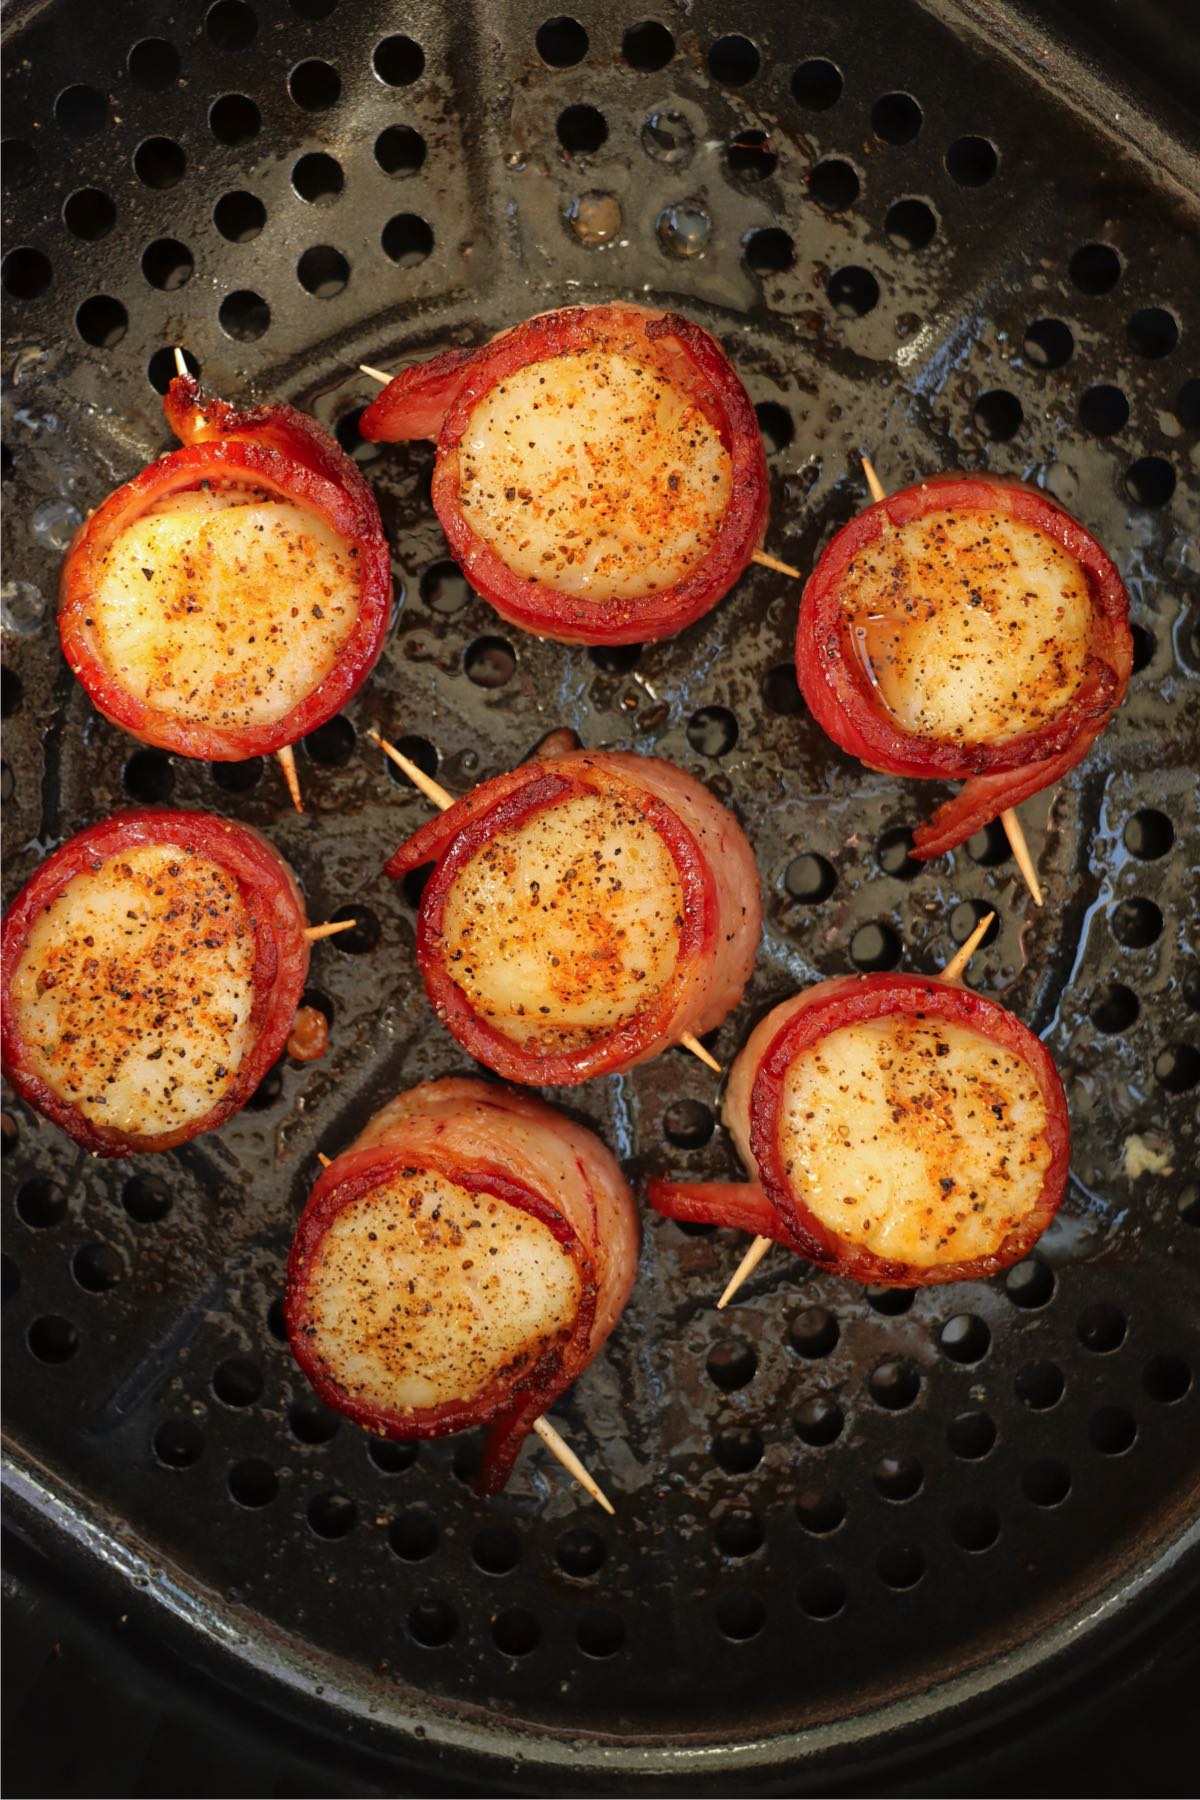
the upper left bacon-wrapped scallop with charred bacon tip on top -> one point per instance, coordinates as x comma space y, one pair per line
235, 595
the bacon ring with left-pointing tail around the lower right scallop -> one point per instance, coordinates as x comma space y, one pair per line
773, 1207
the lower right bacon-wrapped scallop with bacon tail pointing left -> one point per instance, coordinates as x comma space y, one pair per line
899, 1129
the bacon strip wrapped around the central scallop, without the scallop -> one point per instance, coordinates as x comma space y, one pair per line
717, 939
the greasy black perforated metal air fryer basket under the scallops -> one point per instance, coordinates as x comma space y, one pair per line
848, 1524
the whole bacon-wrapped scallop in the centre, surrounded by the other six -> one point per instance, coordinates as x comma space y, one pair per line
586, 912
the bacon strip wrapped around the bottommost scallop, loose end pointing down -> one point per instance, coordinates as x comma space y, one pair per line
512, 1147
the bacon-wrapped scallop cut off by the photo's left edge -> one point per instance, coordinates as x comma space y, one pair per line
152, 973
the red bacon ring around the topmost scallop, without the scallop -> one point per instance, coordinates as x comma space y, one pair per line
436, 399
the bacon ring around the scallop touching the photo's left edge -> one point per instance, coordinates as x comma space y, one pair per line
282, 955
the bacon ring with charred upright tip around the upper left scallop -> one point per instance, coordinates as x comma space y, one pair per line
267, 447
